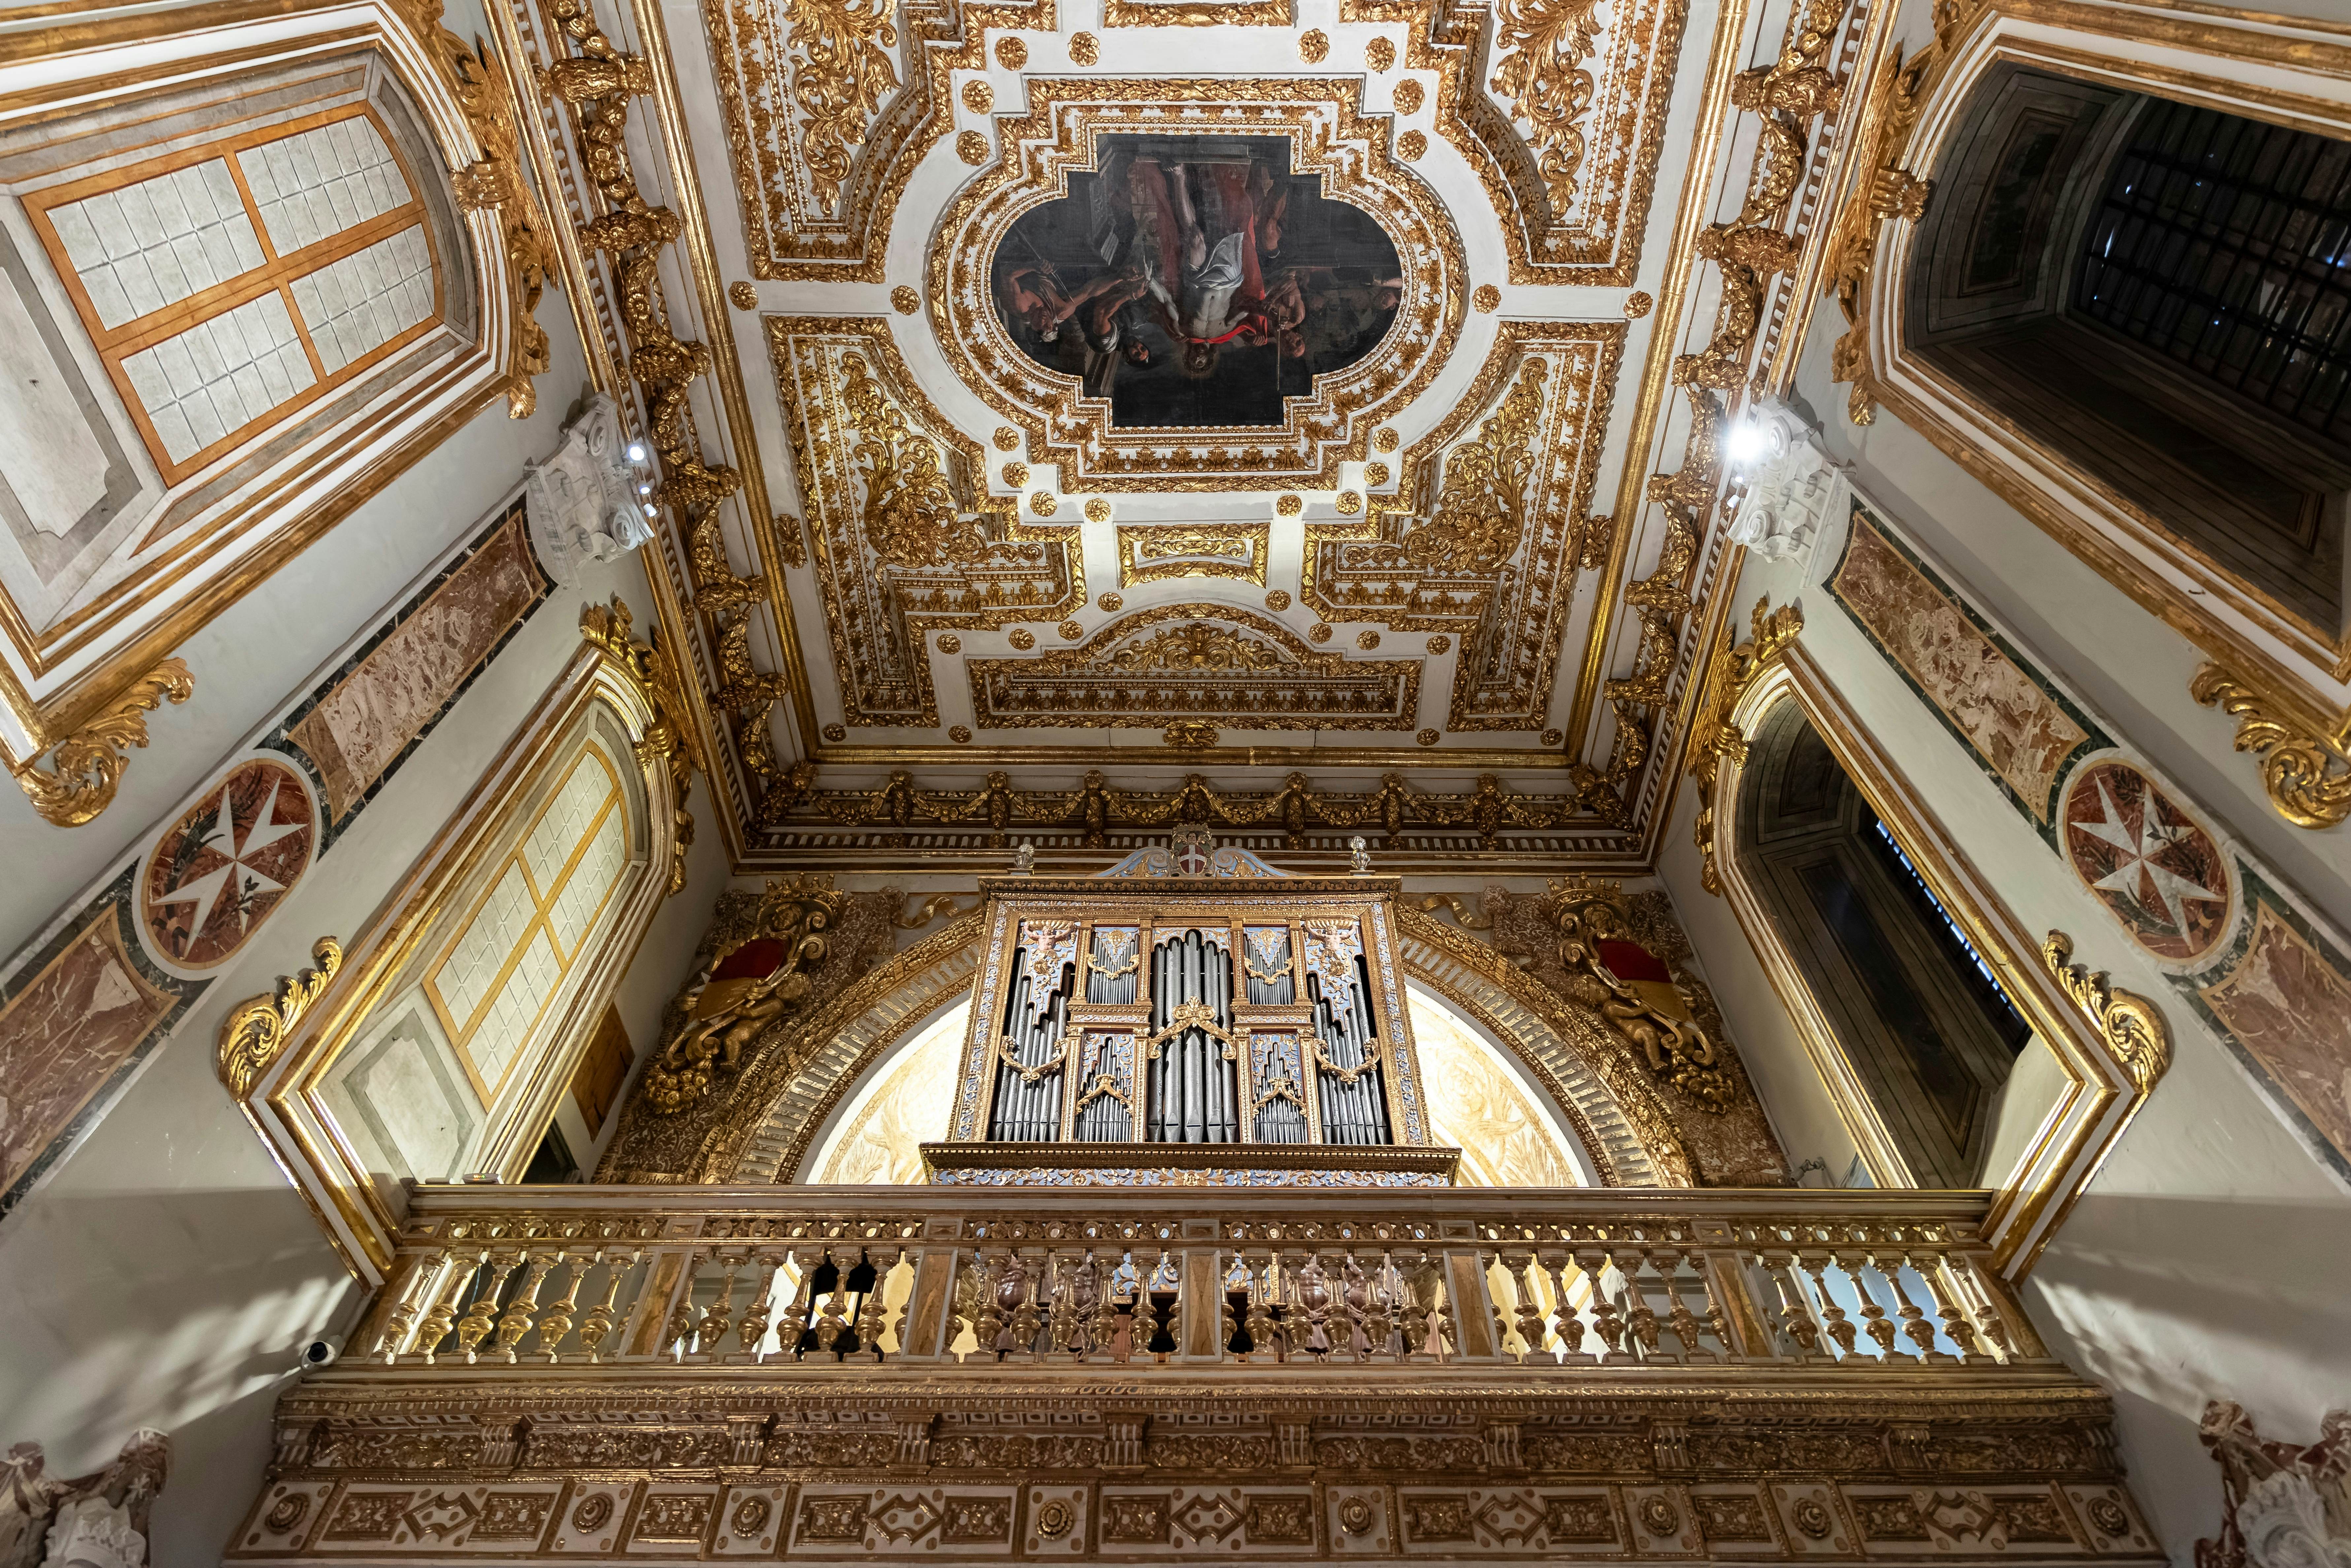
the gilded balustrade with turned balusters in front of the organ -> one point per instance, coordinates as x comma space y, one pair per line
1558, 1282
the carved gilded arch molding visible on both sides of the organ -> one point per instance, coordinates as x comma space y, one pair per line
808, 1071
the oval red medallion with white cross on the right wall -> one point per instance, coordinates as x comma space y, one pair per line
2155, 864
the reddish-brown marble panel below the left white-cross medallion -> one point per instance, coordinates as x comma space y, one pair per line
65, 1036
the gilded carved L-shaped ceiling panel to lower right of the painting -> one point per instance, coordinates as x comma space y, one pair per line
1492, 525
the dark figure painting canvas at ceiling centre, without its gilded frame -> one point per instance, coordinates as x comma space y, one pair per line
1195, 281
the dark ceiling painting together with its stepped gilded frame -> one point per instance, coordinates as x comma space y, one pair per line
1367, 257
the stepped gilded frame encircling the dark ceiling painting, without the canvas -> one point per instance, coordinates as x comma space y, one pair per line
1332, 140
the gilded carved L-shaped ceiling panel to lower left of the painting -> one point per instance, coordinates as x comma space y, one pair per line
909, 537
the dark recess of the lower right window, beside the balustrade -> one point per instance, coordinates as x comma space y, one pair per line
1920, 1014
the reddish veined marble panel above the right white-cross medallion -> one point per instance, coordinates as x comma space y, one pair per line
2021, 730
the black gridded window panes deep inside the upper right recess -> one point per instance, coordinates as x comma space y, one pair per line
2228, 246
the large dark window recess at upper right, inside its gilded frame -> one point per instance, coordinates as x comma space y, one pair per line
2157, 297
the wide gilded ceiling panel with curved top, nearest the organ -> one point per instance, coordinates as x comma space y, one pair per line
1186, 662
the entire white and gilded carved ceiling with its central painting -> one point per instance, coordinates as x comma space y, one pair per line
949, 582
